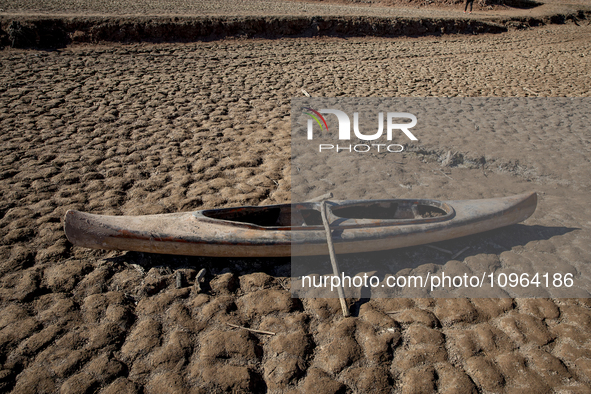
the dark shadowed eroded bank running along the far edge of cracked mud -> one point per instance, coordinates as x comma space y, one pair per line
39, 32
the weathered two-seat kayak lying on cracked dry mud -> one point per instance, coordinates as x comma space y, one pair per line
297, 229
